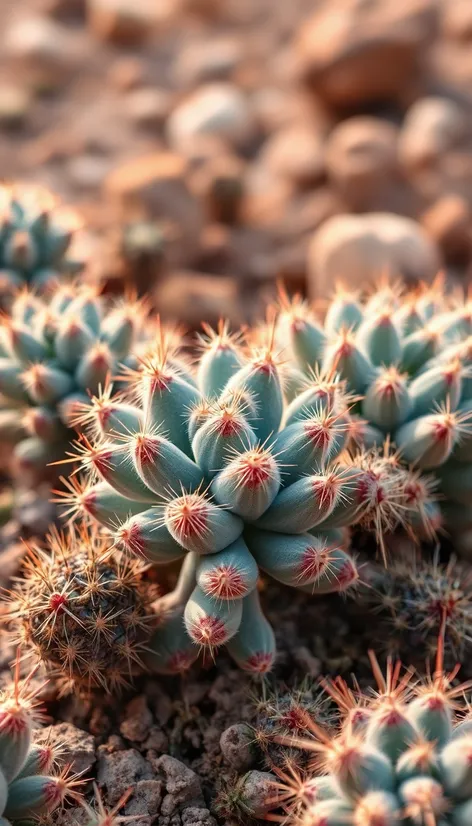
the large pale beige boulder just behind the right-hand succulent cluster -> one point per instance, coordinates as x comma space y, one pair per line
358, 249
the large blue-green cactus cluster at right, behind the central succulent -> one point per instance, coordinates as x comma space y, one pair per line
407, 356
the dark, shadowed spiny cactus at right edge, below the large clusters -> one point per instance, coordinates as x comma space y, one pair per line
411, 598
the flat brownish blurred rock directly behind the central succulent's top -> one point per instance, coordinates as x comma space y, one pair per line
193, 297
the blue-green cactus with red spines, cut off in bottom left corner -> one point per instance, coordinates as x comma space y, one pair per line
29, 785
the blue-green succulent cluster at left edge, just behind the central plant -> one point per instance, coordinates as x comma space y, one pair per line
54, 353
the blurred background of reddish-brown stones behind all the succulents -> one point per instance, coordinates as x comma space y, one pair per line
211, 147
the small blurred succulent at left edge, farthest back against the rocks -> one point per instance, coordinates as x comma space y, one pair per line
35, 238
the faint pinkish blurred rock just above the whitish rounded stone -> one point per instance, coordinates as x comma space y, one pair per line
206, 61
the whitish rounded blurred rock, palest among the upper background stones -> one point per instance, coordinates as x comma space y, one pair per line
219, 109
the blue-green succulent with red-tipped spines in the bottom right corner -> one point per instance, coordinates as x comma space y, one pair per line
401, 756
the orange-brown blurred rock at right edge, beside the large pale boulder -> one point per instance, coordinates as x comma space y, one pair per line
449, 223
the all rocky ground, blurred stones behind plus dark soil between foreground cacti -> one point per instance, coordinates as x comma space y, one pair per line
211, 147
